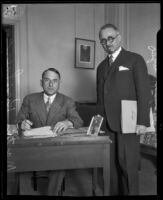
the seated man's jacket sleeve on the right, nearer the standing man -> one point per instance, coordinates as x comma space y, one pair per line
72, 114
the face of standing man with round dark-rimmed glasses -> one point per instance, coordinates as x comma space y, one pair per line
110, 40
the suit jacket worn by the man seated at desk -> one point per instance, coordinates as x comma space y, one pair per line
63, 107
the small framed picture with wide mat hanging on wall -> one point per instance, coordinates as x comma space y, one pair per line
84, 53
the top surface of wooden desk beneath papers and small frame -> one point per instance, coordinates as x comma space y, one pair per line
61, 140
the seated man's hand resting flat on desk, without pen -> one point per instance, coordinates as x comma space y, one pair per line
62, 126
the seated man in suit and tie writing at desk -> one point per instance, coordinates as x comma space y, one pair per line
47, 108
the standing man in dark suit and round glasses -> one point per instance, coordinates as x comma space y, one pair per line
122, 75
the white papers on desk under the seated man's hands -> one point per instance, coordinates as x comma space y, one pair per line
41, 132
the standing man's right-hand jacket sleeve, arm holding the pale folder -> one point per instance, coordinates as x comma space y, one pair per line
142, 85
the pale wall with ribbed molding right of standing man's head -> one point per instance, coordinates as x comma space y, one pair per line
139, 24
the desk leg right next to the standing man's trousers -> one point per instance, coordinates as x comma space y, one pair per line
106, 170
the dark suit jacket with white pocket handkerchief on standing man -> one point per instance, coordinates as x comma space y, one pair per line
114, 85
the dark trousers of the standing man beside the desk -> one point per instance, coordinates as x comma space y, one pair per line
124, 163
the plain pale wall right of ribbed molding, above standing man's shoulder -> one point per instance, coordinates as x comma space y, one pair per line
144, 23
